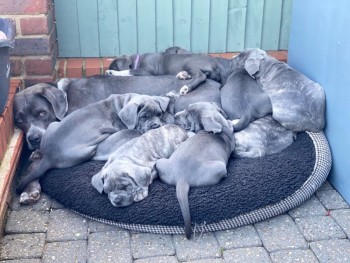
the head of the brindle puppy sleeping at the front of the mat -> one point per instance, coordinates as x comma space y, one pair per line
124, 183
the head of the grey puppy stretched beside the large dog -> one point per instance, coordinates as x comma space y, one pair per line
144, 112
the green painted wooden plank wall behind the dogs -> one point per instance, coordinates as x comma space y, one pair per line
103, 28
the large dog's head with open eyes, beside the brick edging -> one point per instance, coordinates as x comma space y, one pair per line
35, 108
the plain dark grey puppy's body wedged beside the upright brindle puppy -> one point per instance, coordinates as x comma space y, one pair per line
242, 98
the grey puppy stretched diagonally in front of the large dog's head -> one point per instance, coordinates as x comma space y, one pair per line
66, 144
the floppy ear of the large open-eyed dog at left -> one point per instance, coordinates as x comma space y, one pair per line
58, 100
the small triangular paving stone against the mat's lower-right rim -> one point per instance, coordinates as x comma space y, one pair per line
311, 207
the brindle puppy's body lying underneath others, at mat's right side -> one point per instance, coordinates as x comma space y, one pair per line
262, 137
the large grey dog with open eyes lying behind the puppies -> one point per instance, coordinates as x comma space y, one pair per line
39, 105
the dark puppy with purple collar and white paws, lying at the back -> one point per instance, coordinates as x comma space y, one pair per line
195, 67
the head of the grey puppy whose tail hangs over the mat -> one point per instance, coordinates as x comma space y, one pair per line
203, 116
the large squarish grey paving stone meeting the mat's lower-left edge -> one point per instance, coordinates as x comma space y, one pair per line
65, 225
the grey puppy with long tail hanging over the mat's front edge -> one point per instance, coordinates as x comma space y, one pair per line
202, 159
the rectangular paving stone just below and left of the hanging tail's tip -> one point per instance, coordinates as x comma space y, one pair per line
150, 245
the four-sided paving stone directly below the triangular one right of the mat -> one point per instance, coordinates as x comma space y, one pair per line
319, 227
